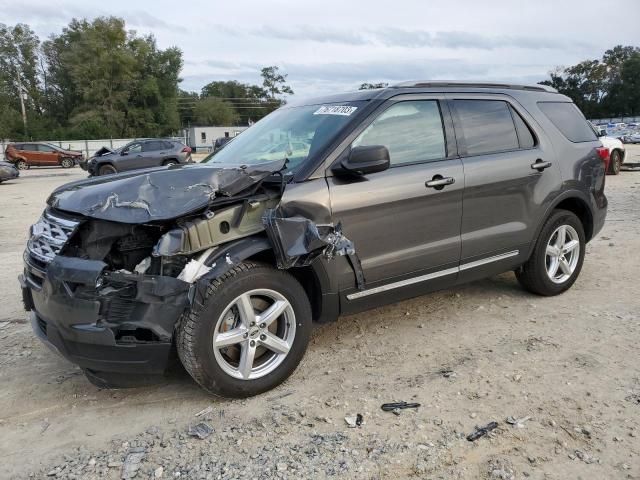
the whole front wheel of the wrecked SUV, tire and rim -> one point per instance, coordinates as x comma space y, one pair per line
250, 333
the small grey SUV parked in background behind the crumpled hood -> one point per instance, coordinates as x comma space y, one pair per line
138, 154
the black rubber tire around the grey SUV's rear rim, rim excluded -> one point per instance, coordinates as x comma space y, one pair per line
533, 274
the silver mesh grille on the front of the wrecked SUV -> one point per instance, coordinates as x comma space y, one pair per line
49, 235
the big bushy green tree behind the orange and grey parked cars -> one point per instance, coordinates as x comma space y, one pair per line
103, 80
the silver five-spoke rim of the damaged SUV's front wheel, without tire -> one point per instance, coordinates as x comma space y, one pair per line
254, 334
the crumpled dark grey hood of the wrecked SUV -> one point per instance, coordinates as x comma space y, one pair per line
157, 194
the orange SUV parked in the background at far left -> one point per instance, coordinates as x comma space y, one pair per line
34, 154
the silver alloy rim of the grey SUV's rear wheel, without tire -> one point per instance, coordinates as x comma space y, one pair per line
562, 254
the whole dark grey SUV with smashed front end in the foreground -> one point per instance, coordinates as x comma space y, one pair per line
401, 191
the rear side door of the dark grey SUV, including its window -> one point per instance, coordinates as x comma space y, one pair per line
505, 193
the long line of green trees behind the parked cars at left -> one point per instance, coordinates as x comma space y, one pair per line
96, 79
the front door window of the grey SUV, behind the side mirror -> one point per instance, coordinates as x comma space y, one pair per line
411, 130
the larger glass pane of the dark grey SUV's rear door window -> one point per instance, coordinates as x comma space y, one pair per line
487, 126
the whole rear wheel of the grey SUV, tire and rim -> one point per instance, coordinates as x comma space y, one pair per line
557, 257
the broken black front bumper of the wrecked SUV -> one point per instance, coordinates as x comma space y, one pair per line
125, 326
